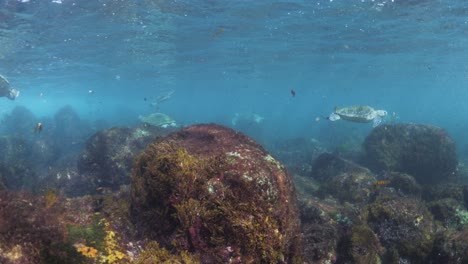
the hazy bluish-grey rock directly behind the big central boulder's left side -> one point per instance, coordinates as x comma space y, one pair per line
107, 159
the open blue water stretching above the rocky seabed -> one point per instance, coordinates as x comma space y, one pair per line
224, 57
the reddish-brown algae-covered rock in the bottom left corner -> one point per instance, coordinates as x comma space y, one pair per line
27, 228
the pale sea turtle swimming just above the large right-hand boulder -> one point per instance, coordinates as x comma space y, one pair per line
358, 113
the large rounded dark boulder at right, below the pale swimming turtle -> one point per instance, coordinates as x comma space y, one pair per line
425, 152
